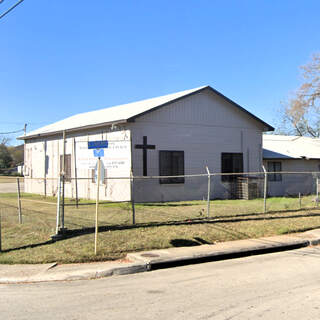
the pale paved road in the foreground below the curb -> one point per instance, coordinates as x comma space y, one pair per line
275, 286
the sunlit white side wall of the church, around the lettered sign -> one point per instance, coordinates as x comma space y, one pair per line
42, 160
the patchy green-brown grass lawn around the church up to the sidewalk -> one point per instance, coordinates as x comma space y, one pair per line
158, 225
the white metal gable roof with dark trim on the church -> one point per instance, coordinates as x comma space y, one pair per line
124, 113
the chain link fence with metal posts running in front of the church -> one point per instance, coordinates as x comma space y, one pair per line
69, 206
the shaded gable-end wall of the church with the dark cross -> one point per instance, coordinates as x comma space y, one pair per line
203, 126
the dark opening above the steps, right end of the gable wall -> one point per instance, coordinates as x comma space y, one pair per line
231, 163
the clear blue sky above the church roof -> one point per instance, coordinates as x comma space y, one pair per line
59, 58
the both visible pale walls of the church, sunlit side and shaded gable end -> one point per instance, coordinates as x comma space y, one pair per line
202, 125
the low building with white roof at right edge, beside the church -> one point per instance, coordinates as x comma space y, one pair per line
291, 154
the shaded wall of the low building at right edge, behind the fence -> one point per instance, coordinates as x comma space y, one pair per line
292, 184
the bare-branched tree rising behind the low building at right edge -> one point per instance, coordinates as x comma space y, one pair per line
301, 114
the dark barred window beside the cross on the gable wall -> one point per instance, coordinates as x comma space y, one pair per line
171, 163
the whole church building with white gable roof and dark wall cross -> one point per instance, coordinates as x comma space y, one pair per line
176, 134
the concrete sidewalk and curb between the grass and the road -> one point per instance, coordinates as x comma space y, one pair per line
149, 260
